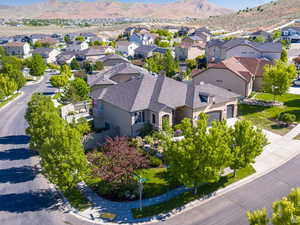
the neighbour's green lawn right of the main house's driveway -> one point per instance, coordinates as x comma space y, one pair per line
264, 116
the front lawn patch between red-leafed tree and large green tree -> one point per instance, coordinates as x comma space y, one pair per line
159, 182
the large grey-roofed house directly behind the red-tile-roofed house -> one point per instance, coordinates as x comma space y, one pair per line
218, 50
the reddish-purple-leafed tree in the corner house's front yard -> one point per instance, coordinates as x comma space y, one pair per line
117, 161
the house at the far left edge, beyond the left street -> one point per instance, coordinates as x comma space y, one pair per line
21, 49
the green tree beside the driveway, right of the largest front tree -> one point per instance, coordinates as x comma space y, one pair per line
246, 144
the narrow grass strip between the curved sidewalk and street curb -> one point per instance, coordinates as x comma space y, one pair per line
189, 196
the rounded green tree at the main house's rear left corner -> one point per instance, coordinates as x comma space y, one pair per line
77, 90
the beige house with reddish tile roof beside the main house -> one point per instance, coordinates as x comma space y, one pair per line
238, 74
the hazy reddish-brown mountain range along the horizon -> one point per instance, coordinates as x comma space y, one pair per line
115, 9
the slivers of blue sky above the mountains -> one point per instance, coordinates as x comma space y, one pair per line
234, 4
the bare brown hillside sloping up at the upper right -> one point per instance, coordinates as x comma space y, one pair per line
263, 17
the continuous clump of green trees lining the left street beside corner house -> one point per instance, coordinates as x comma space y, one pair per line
59, 145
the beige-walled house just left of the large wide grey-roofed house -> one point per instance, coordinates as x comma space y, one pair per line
189, 51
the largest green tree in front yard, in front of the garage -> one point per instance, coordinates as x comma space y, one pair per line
200, 156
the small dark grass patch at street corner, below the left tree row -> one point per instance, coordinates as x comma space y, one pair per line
77, 200
